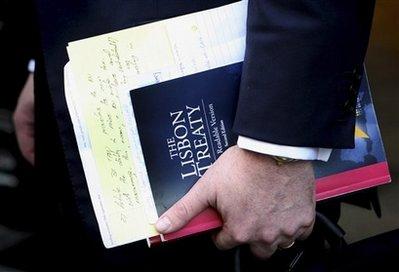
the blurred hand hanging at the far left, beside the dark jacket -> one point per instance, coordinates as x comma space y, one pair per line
24, 121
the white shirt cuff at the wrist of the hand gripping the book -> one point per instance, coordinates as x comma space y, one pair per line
293, 152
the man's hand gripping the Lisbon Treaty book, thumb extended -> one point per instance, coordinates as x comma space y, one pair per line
261, 204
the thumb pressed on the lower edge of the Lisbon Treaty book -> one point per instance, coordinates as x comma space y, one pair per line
194, 202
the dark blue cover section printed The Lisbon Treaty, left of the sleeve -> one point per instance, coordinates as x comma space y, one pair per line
184, 126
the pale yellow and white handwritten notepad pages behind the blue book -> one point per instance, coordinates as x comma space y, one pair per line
102, 71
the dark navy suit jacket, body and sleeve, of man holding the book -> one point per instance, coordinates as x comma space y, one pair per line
301, 75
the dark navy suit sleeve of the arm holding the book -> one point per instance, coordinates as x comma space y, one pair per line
302, 71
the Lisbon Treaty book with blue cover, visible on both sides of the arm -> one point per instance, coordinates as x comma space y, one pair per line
185, 124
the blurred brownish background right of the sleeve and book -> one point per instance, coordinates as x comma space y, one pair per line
382, 64
